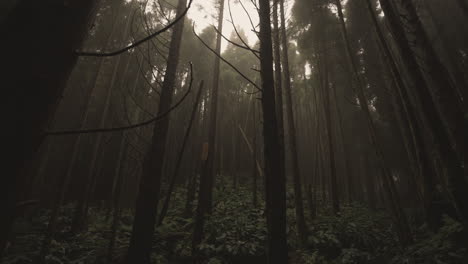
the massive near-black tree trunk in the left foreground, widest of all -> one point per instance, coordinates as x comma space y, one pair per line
35, 76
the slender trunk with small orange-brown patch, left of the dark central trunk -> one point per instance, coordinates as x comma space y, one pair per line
205, 194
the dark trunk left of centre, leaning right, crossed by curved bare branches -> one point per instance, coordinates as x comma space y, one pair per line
150, 183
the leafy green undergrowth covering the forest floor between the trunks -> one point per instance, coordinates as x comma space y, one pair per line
236, 233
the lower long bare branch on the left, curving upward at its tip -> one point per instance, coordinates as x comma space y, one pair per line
123, 128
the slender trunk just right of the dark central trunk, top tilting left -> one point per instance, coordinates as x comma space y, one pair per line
298, 201
